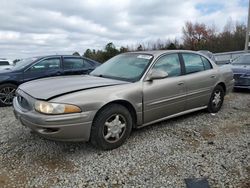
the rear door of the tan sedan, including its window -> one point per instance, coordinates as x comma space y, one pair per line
200, 79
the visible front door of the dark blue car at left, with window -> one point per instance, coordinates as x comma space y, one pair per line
44, 68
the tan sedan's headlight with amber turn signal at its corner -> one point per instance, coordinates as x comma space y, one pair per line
55, 108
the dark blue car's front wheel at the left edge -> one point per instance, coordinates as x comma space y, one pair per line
7, 93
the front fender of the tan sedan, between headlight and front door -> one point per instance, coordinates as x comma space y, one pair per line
95, 99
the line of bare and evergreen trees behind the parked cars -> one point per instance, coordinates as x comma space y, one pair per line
195, 36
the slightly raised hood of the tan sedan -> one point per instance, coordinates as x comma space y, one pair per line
48, 88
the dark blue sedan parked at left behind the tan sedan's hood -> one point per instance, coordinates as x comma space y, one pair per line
40, 67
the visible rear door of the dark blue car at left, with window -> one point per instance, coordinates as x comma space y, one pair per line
75, 66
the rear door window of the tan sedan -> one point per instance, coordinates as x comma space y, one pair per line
193, 63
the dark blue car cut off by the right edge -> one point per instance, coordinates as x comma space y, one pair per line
241, 71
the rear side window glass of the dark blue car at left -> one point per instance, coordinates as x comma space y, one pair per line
74, 63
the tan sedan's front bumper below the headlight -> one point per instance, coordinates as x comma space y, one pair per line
67, 127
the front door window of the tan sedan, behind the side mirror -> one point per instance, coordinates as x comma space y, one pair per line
169, 64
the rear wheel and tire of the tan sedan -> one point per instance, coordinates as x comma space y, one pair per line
216, 100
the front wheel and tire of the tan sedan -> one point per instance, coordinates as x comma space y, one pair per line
111, 127
